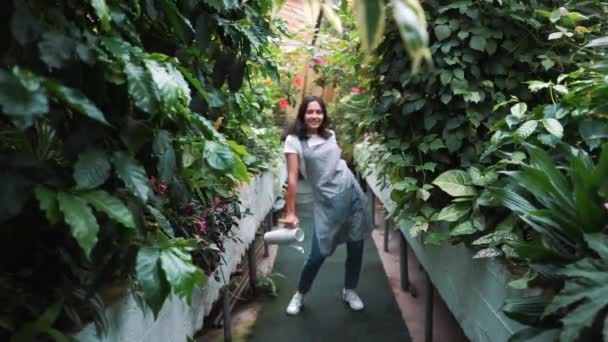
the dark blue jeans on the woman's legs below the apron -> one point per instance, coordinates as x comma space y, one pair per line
354, 256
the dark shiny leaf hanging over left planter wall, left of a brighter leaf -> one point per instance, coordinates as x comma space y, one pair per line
151, 278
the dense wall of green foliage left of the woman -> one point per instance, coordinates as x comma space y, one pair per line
125, 130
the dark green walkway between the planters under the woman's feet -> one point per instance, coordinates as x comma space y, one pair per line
325, 317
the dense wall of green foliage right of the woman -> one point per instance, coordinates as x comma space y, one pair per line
498, 144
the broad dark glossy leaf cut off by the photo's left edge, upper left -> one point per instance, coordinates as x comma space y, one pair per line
21, 97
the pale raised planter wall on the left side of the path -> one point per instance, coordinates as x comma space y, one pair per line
177, 321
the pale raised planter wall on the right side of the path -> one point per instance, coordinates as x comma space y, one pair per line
473, 289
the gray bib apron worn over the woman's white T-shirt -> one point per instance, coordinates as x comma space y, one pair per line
340, 205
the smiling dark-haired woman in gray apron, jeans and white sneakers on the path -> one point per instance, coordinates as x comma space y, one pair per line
339, 204
